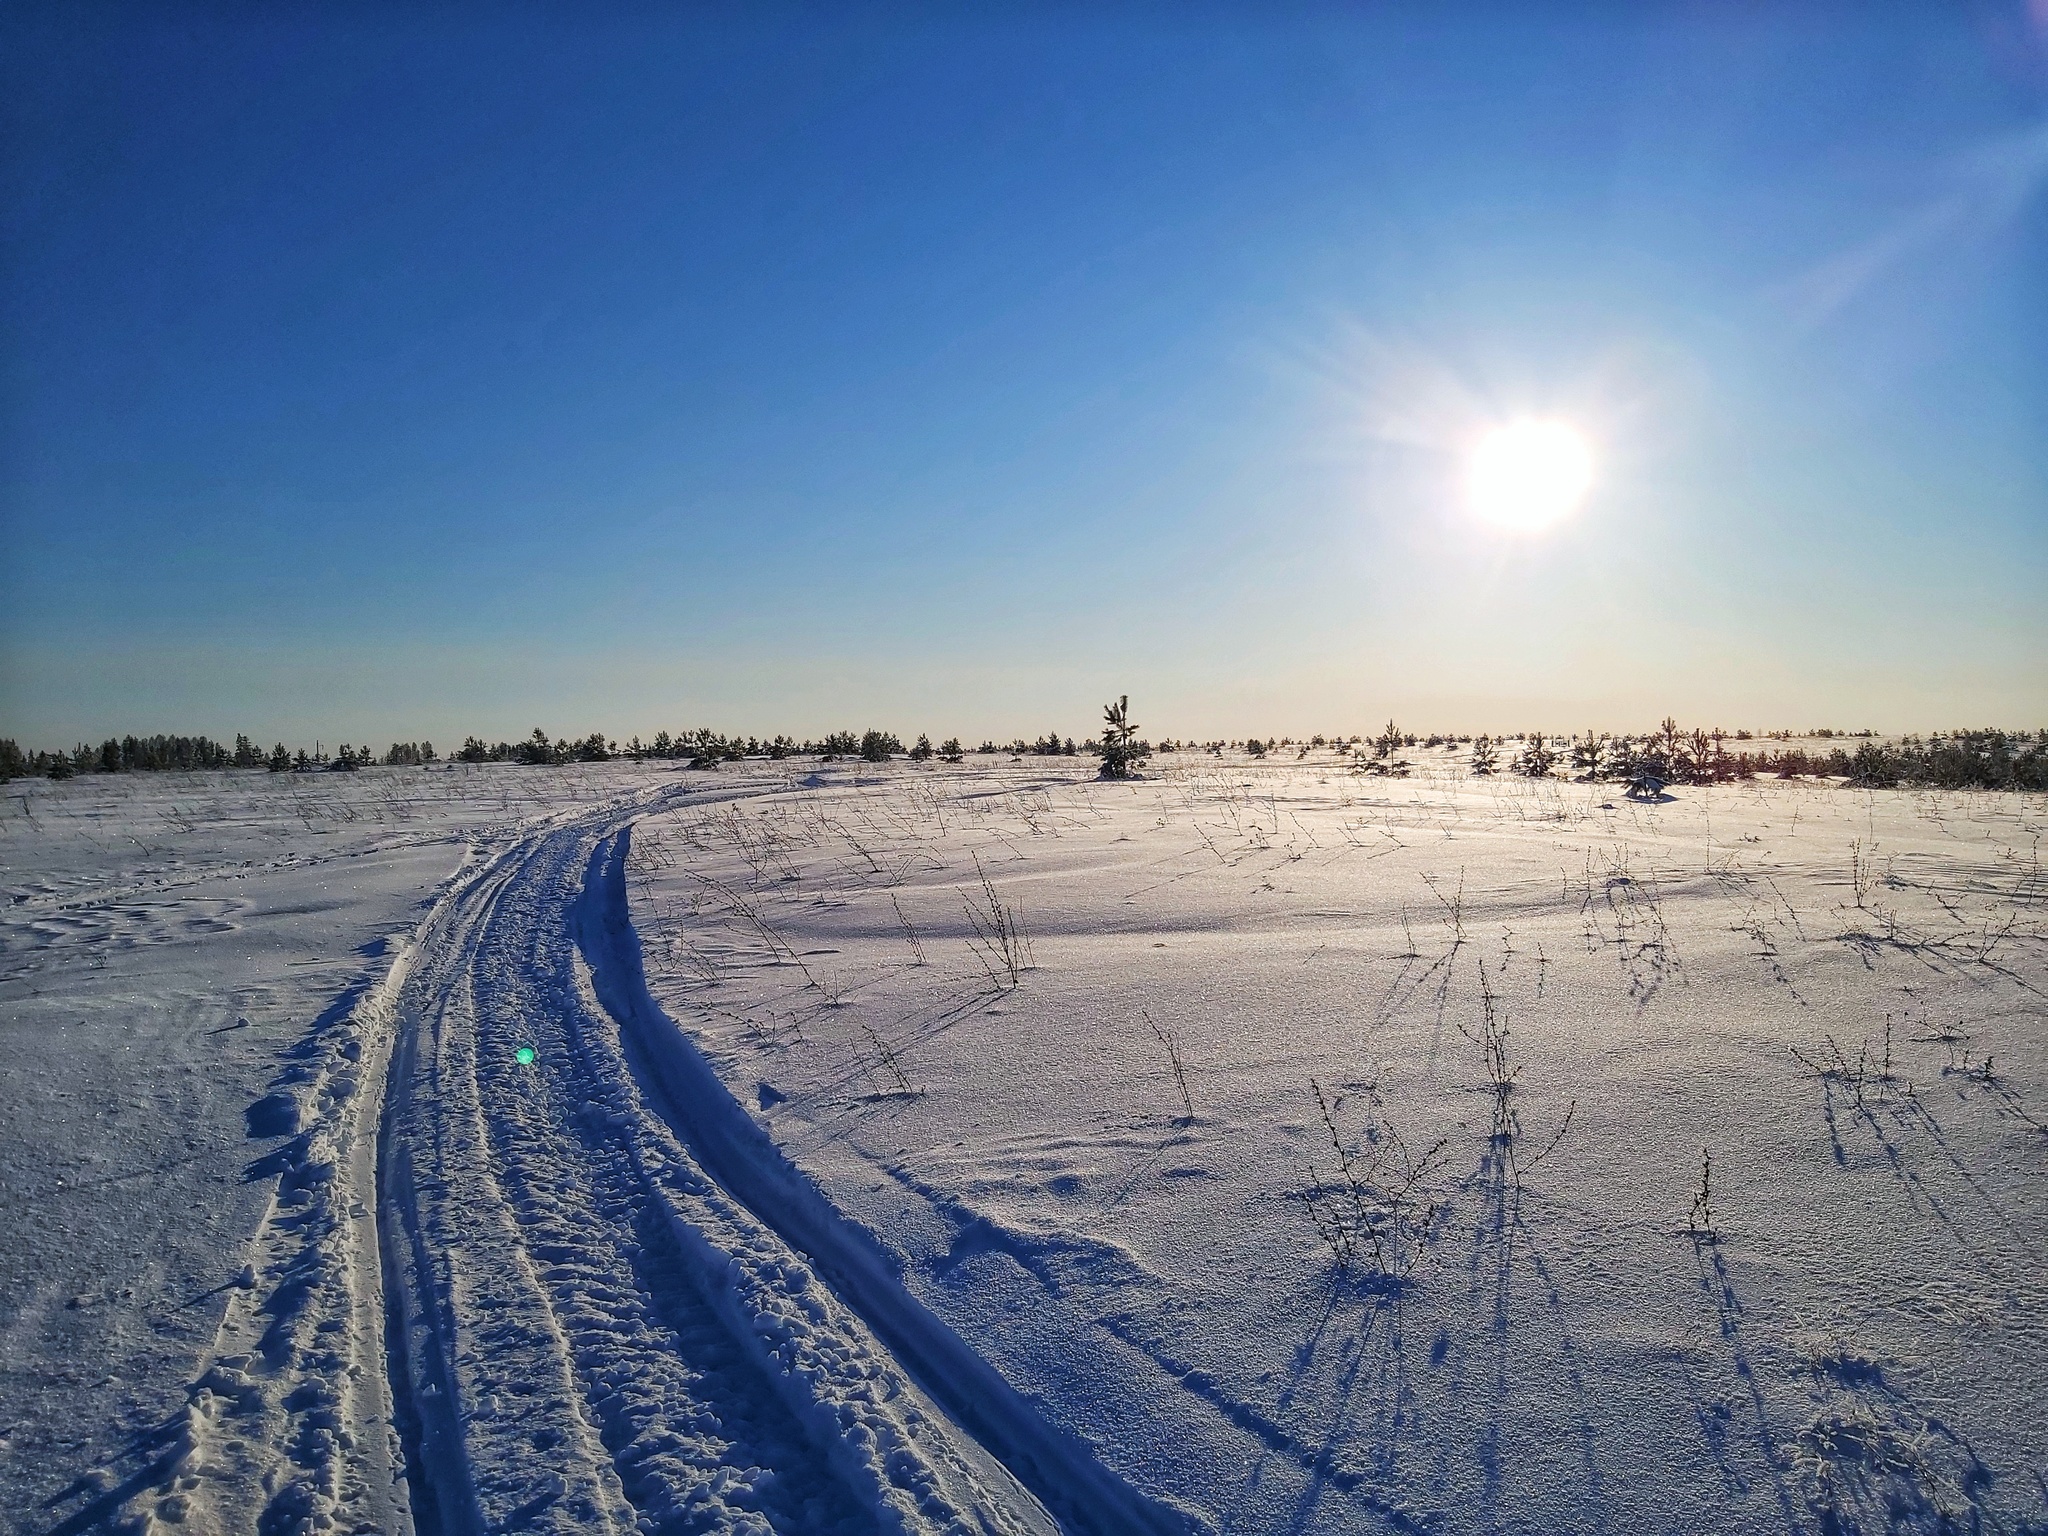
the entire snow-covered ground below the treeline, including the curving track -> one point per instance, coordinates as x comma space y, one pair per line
1256, 1148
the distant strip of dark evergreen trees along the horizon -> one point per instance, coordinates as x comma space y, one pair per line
1983, 759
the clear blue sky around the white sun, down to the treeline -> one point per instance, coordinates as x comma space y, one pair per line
390, 372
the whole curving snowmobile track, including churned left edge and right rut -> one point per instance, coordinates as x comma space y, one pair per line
501, 1297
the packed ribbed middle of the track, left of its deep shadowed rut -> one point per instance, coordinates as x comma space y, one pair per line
591, 1332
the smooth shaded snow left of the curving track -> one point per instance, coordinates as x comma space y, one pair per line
169, 945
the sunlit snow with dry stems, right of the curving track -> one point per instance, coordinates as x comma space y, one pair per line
1564, 1355
